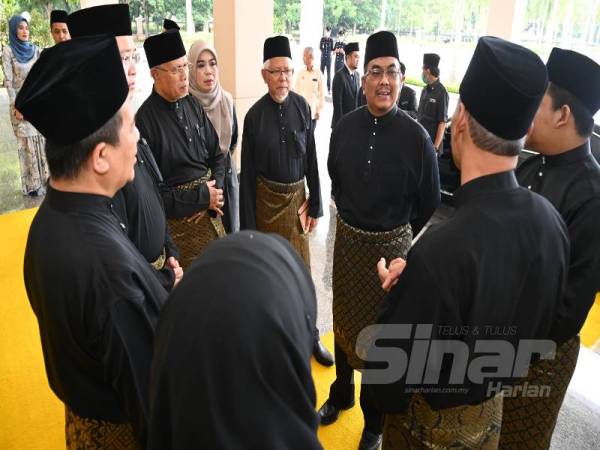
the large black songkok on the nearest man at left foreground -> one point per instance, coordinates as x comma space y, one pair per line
85, 77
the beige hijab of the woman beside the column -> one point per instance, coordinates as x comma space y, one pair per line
217, 104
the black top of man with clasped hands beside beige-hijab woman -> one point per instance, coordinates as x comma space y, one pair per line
185, 145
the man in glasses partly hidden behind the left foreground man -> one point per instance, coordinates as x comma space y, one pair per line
139, 203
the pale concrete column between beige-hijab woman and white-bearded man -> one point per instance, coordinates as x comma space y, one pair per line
240, 29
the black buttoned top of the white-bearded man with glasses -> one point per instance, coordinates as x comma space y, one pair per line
278, 143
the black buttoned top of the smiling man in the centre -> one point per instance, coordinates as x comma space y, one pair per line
383, 171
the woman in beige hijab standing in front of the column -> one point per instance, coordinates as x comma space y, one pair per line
218, 105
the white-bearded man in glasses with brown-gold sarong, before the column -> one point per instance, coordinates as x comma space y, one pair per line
278, 153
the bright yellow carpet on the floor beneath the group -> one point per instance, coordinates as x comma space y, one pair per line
32, 418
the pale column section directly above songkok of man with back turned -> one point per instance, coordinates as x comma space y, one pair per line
506, 19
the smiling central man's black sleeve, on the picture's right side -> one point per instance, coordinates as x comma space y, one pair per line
428, 189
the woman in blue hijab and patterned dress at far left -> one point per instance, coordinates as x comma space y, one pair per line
17, 59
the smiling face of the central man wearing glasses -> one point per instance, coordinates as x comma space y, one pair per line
381, 84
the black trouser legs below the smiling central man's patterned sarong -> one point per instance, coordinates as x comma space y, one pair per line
341, 393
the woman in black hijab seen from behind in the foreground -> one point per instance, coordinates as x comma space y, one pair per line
231, 368
